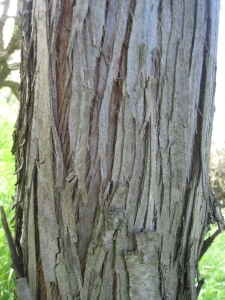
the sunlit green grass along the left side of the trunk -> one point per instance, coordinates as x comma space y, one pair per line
7, 189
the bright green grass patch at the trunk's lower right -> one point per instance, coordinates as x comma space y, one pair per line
212, 268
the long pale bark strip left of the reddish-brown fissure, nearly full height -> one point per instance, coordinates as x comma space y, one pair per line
48, 231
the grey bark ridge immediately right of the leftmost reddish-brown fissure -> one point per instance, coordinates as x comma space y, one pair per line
80, 110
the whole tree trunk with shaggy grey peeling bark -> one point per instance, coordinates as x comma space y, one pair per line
112, 145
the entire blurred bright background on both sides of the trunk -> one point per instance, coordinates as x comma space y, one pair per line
212, 265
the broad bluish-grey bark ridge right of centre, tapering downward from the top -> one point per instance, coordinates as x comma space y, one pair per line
140, 48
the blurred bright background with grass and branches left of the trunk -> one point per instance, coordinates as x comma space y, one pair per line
9, 84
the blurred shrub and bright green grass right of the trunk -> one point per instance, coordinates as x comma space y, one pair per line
212, 264
